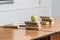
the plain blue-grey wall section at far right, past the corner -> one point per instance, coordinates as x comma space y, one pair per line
56, 8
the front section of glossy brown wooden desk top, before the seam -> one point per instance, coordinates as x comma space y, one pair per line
19, 34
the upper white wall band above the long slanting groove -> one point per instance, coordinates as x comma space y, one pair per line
19, 4
